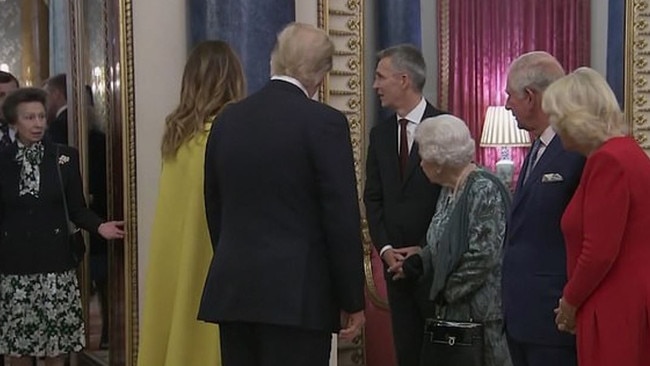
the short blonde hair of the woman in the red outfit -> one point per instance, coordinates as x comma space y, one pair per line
584, 107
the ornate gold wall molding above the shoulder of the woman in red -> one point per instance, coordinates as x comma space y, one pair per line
637, 70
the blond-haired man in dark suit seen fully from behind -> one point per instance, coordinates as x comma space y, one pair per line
283, 216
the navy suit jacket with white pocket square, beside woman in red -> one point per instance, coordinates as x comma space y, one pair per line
534, 265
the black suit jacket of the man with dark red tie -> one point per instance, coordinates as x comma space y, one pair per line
398, 212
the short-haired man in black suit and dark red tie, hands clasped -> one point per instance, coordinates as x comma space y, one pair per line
399, 199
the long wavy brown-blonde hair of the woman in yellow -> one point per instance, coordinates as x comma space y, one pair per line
212, 78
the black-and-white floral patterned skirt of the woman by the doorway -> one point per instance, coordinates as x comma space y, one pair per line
40, 315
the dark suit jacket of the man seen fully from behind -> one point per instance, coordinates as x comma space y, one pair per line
283, 214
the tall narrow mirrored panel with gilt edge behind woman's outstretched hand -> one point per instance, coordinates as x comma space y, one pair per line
101, 75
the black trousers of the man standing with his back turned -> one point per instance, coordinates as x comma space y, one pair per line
252, 344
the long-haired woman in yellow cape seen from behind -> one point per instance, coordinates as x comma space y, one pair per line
180, 251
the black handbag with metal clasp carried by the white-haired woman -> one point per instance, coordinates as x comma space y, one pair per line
451, 343
